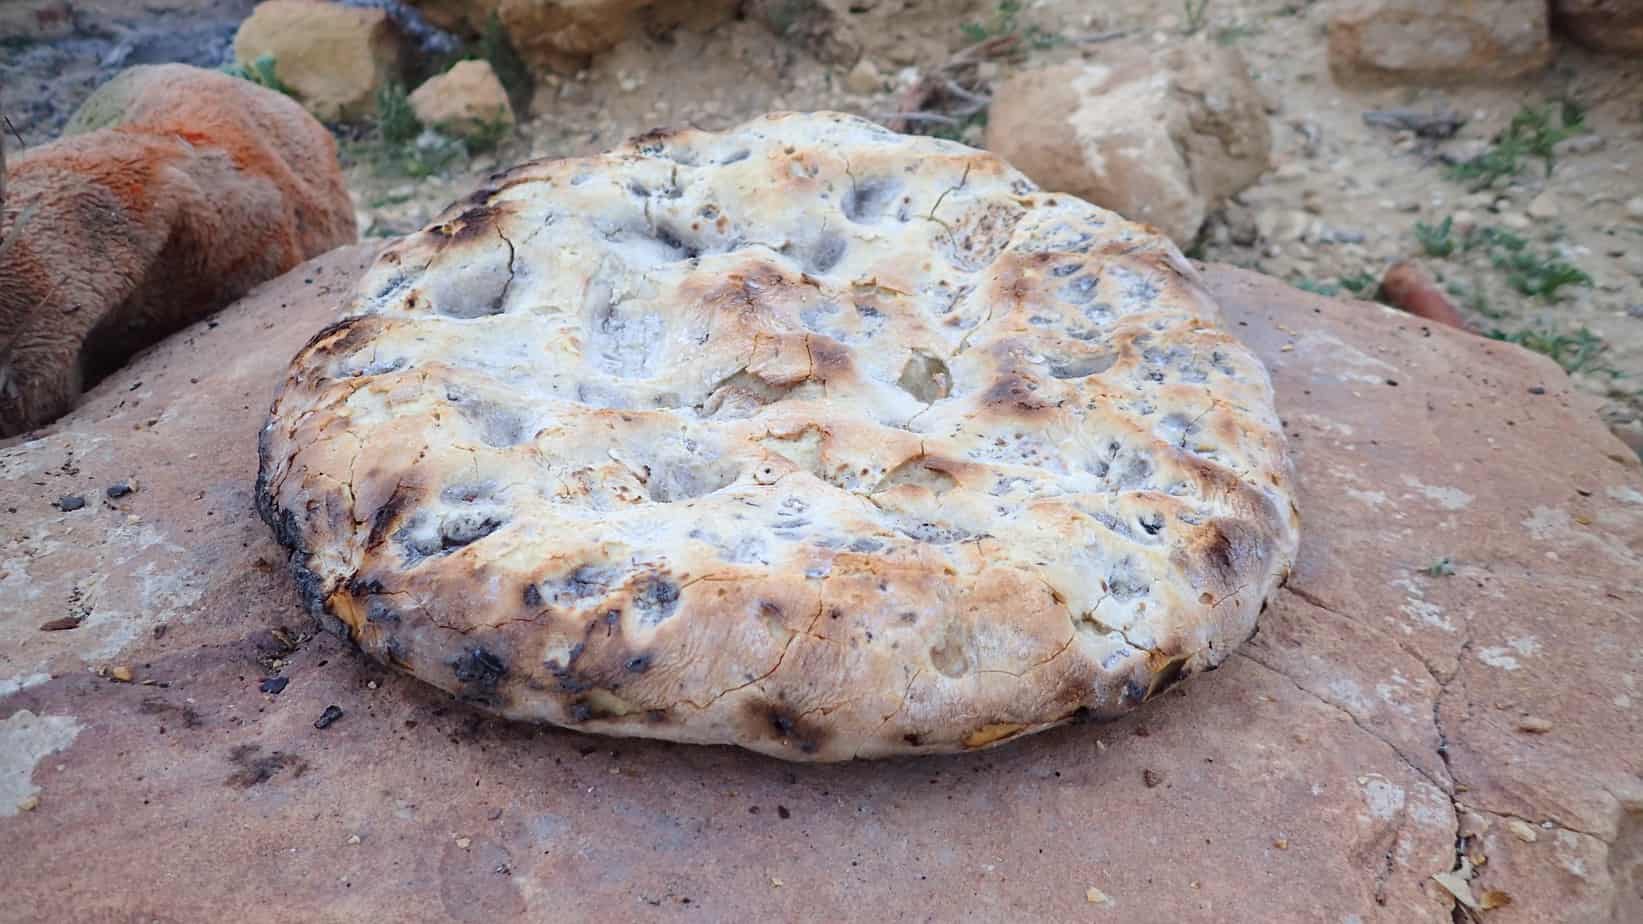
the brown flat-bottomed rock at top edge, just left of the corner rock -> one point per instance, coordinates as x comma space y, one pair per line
1420, 42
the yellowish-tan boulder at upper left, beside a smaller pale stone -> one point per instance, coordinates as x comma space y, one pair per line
334, 58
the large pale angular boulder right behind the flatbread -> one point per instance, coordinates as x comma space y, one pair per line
1161, 137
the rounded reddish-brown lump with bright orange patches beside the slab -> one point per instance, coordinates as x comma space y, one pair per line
173, 193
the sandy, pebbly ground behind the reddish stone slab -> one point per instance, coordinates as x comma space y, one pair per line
1343, 200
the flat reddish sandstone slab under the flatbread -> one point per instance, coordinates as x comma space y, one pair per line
1320, 775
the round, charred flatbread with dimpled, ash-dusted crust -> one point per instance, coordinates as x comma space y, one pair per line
804, 437
